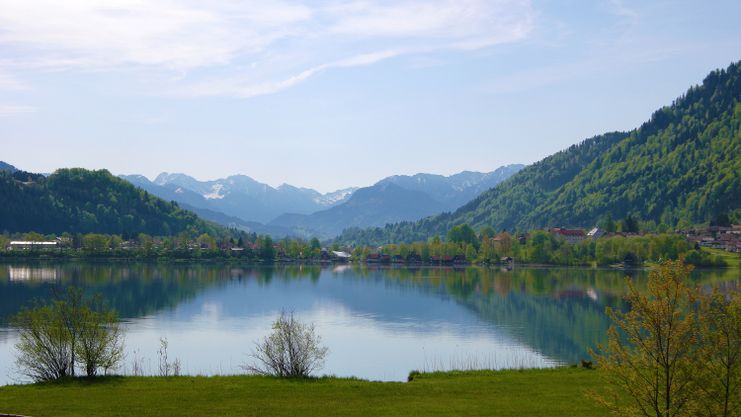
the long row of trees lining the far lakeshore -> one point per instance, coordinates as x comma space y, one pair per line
486, 247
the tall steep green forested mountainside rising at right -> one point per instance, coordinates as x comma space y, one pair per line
681, 167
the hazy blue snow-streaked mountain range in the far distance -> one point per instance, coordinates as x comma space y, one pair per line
240, 201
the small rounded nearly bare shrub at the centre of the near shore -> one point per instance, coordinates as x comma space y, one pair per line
292, 350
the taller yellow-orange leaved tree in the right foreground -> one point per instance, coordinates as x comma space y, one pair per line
651, 356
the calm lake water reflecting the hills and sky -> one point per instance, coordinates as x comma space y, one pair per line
378, 323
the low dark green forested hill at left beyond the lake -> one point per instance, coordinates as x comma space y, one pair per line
82, 201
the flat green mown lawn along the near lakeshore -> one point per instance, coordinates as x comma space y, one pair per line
559, 392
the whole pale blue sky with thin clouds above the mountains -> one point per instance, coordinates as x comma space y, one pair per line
330, 94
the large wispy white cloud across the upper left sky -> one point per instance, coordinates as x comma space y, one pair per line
245, 48
